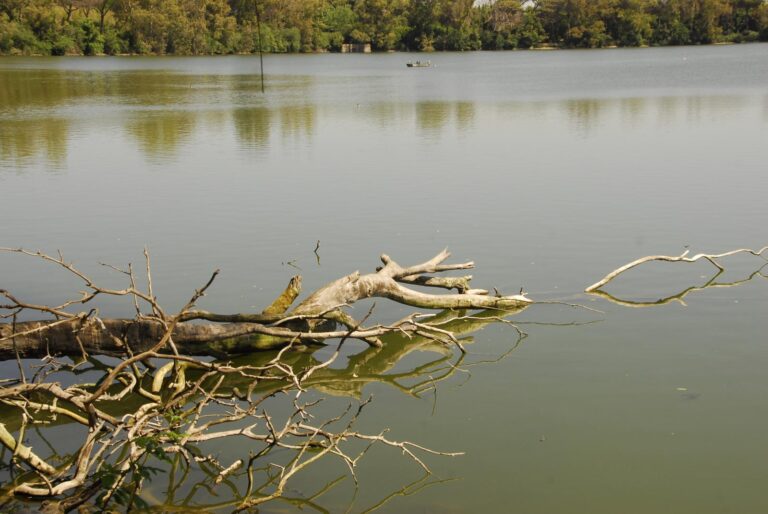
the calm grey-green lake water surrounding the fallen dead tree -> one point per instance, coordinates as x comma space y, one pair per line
548, 169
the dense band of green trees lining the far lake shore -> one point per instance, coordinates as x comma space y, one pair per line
91, 27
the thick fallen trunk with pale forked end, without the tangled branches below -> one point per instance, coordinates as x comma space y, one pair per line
314, 319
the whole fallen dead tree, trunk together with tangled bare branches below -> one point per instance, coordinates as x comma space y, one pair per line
182, 401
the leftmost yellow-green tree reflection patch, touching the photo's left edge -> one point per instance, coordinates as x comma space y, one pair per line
22, 141
